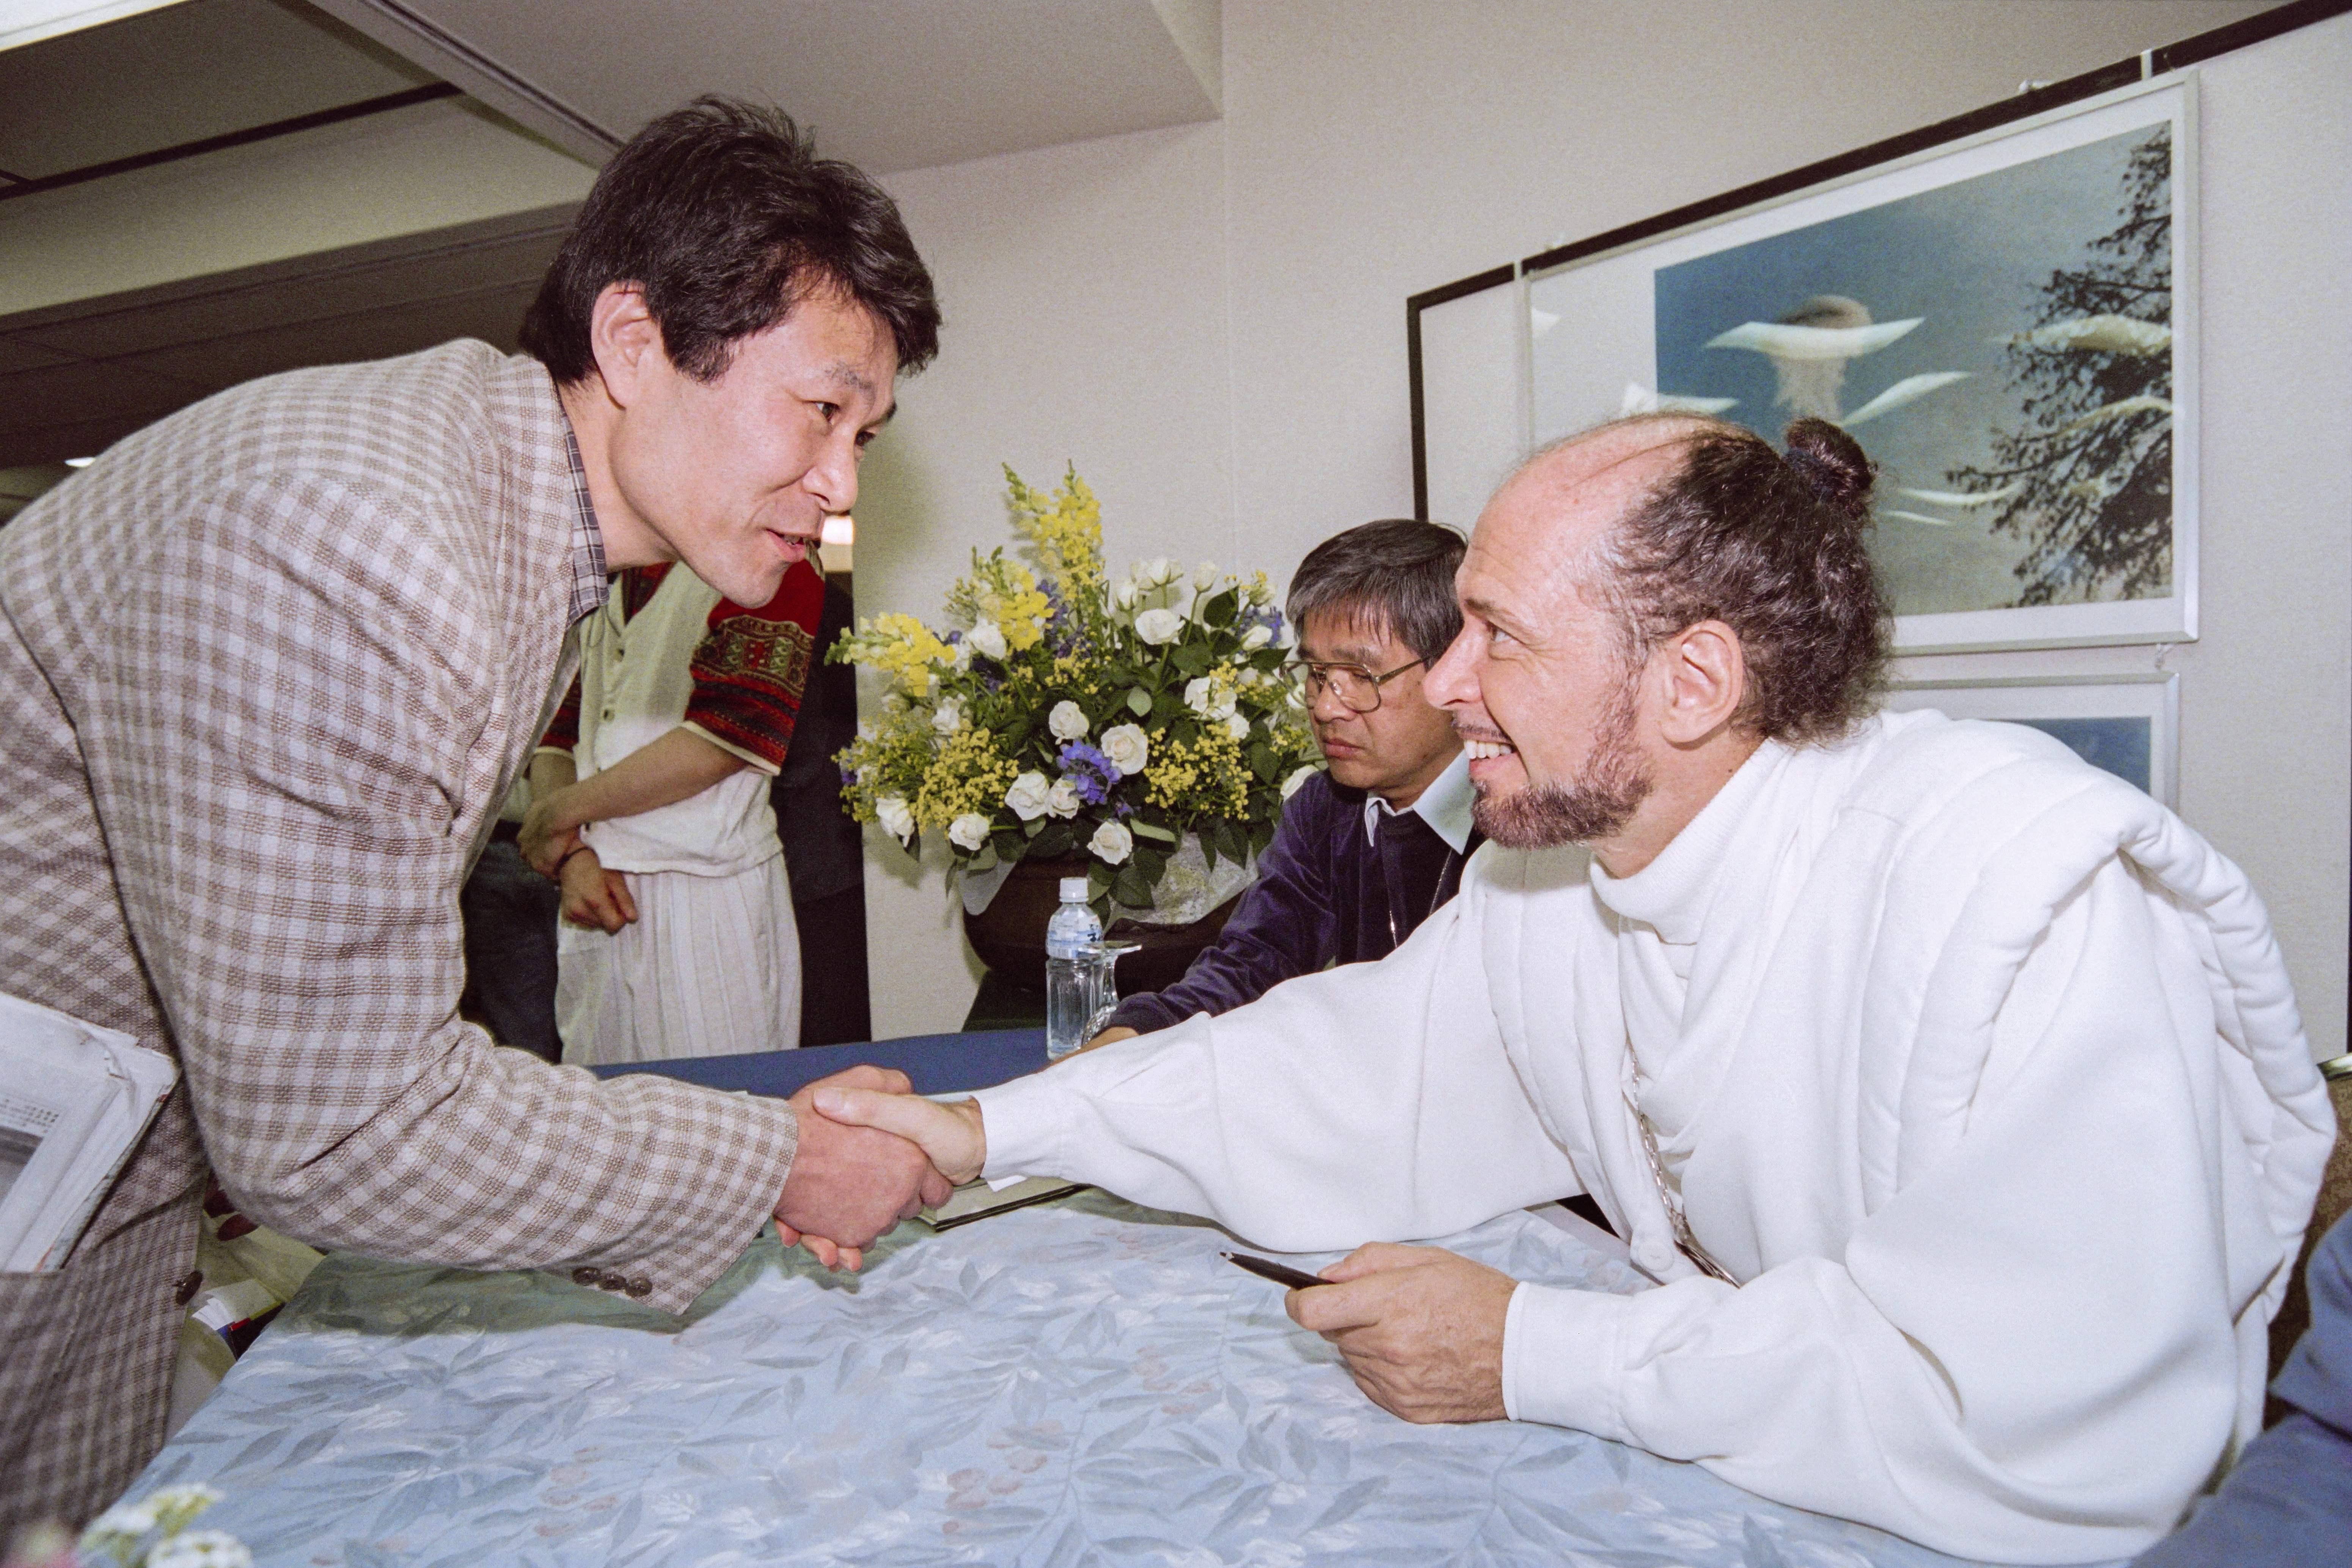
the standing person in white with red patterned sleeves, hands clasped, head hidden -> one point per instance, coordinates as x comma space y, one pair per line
650, 810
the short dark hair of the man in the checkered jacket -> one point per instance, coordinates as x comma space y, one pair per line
728, 220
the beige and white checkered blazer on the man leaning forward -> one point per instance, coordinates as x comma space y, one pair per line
267, 674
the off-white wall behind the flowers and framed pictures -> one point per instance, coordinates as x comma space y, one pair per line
1210, 321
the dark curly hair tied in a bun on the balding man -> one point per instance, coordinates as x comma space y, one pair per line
1772, 549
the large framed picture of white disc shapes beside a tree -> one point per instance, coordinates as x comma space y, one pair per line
2005, 326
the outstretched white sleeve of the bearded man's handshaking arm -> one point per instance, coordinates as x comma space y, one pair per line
1363, 1104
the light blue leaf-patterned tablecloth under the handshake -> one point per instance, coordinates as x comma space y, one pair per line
1076, 1383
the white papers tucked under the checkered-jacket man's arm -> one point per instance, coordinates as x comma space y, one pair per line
74, 1101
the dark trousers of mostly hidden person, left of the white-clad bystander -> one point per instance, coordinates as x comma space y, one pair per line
512, 916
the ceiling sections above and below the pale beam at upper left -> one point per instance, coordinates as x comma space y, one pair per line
886, 83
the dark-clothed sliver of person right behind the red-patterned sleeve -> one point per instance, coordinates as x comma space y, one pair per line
824, 845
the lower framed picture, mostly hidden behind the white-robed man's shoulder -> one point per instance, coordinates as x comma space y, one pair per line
2127, 725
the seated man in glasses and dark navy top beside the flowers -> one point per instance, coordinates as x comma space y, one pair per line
1375, 845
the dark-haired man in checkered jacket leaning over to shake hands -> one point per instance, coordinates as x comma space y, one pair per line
267, 674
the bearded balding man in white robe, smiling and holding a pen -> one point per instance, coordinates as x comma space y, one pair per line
1951, 1090
